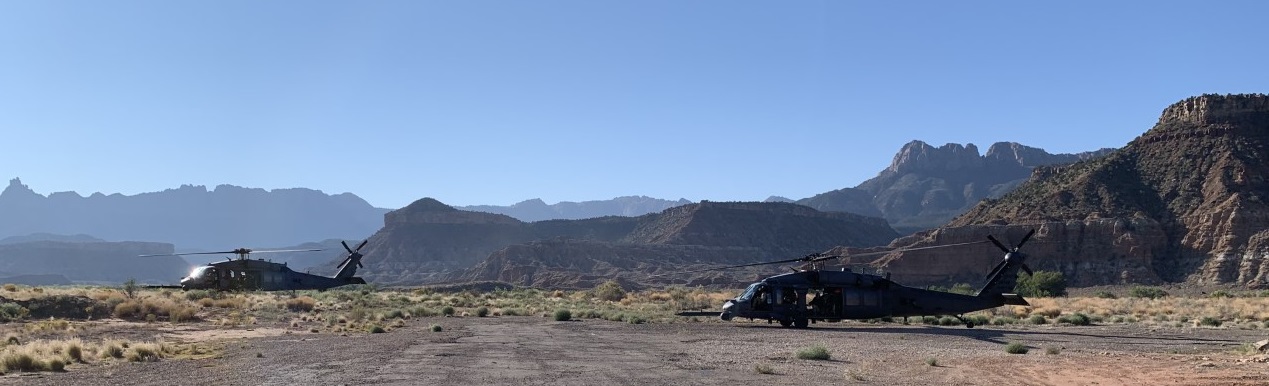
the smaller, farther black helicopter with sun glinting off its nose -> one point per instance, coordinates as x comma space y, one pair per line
248, 275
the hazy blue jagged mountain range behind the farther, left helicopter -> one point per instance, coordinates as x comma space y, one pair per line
191, 218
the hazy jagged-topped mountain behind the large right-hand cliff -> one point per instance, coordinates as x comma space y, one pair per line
926, 186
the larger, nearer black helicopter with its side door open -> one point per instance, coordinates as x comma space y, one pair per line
839, 295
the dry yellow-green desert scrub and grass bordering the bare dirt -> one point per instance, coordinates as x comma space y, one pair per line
93, 335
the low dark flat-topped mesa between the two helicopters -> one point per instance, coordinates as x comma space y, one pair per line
430, 242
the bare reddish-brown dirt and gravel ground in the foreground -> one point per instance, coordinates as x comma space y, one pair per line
539, 351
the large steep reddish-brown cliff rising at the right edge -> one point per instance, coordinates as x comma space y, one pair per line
1185, 203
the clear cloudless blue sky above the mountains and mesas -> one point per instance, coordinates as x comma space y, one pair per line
497, 102
